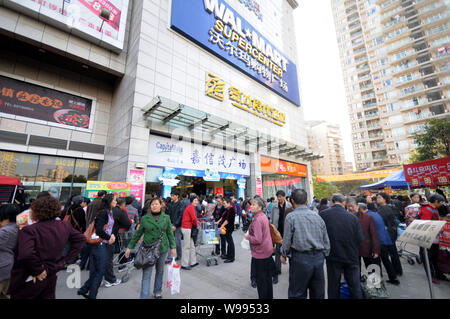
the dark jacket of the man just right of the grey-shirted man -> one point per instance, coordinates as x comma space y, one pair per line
345, 234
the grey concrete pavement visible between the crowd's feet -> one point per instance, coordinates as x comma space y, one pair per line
232, 281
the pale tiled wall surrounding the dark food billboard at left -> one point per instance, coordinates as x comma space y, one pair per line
39, 73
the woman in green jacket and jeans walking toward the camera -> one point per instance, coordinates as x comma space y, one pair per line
152, 226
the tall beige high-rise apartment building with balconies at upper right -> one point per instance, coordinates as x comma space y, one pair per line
395, 60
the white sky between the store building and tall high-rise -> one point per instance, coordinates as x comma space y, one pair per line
322, 87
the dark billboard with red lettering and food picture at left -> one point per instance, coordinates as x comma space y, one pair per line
43, 104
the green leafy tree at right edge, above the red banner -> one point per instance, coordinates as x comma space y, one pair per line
434, 143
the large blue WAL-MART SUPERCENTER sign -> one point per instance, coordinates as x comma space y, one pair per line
218, 28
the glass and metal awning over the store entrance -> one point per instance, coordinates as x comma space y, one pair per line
169, 114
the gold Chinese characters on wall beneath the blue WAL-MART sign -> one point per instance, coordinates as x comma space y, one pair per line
243, 101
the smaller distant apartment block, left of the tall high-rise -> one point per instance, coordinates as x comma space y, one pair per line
326, 138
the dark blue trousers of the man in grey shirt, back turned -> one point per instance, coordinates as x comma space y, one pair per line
306, 273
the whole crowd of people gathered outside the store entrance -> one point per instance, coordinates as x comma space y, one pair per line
37, 242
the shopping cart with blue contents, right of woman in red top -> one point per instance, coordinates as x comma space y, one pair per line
207, 239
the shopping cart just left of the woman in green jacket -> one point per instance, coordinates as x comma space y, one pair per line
120, 263
